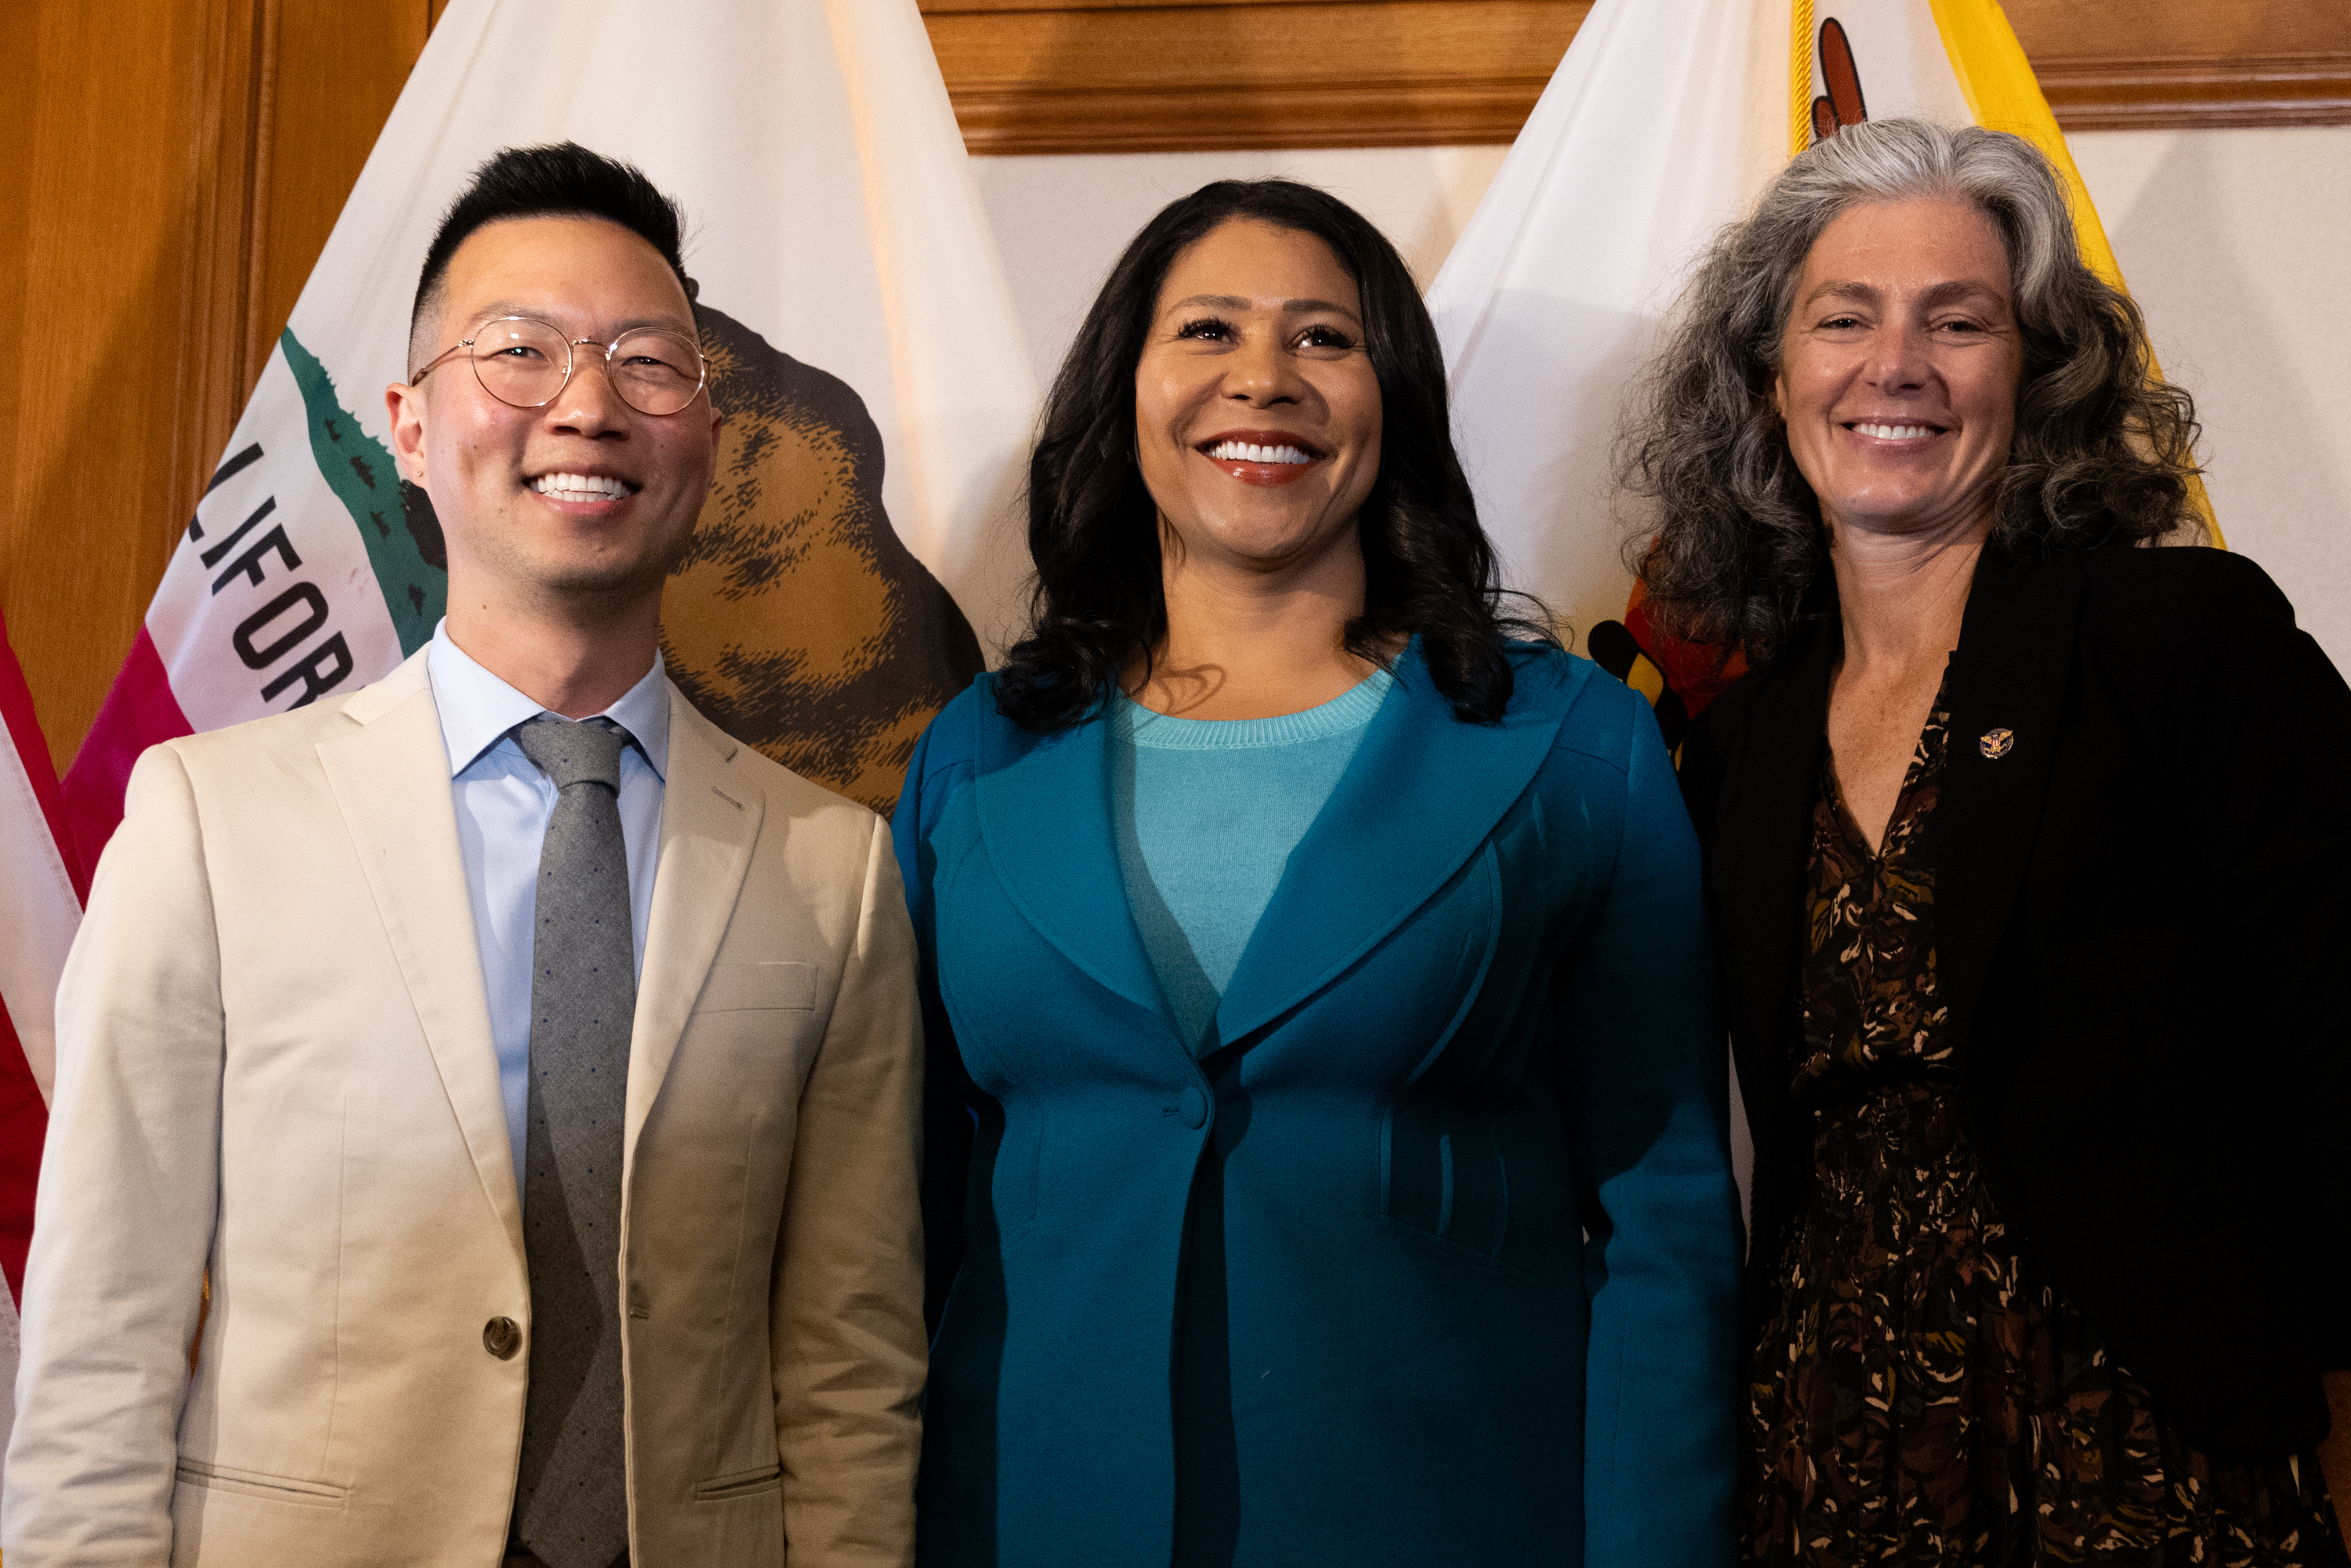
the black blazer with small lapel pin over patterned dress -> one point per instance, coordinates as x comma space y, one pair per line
2143, 925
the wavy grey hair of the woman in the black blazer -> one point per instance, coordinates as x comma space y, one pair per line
2103, 448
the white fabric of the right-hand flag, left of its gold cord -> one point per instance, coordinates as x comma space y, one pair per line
1654, 133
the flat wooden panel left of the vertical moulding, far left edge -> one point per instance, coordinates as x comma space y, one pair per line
102, 304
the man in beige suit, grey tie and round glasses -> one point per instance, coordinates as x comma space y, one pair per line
537, 1097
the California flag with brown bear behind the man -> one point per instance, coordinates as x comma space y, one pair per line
855, 558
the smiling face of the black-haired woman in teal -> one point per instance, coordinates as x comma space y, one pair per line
1257, 406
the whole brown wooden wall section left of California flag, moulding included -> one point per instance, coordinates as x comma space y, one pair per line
175, 185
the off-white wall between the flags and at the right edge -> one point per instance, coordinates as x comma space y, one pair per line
2232, 241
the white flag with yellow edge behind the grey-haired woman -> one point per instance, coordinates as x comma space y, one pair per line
1663, 123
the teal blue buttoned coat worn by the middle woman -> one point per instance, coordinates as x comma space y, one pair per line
1433, 1264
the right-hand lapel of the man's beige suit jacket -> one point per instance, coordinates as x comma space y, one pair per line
709, 826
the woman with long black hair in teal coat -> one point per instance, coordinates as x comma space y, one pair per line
1329, 1148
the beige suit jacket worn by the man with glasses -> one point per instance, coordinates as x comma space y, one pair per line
276, 1066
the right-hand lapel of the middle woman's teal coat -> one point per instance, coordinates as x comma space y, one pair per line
1414, 805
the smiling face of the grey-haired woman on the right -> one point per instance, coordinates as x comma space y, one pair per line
1901, 363
